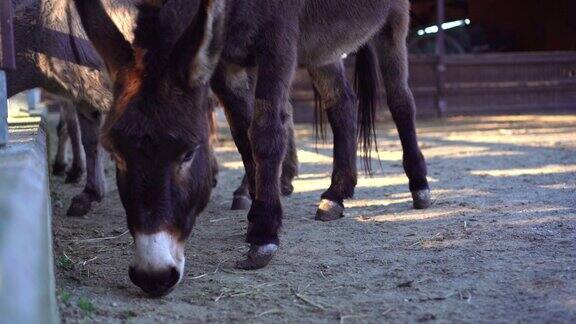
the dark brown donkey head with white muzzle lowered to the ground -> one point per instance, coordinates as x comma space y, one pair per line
157, 130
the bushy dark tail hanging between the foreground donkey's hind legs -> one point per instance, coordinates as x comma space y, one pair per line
367, 84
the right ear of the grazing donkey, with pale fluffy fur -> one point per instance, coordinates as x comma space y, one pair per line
200, 46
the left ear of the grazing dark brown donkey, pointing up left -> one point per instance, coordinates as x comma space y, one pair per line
108, 41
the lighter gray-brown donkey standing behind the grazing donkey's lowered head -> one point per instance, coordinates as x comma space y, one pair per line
53, 53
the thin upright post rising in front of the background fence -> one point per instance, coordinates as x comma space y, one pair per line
441, 59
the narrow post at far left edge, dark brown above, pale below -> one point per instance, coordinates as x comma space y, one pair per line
7, 61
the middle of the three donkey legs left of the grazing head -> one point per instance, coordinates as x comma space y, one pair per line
75, 173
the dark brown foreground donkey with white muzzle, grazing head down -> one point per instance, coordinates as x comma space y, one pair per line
248, 51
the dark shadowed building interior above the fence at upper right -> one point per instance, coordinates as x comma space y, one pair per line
503, 26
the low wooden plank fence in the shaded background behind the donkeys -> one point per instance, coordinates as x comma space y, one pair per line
478, 84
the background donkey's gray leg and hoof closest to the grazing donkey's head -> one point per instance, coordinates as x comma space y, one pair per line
95, 187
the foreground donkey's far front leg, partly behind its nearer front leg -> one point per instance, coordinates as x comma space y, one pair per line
234, 87
